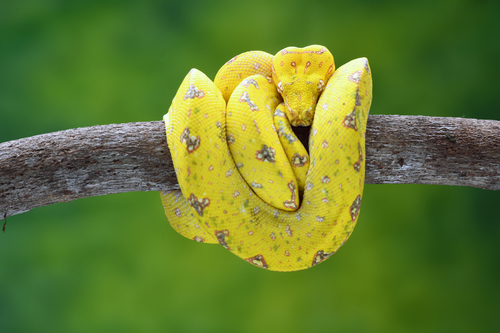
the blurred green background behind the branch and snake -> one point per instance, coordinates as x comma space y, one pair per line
422, 258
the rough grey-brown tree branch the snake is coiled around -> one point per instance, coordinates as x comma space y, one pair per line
83, 162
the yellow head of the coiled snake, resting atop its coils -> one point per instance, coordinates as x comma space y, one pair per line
300, 75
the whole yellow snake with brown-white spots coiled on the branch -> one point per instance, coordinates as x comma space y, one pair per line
246, 182
